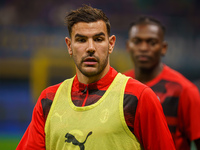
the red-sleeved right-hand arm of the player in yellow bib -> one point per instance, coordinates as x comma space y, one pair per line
150, 125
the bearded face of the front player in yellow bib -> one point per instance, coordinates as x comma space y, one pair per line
90, 47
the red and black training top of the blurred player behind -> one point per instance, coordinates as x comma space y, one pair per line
181, 105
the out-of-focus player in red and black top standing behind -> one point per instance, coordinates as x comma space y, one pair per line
179, 97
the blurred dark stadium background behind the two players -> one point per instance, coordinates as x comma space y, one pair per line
33, 54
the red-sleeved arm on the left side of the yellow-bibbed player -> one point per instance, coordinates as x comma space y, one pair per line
34, 137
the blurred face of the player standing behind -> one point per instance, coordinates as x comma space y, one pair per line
146, 45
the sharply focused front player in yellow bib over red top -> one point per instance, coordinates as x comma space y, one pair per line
99, 108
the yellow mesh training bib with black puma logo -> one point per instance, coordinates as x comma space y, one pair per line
100, 126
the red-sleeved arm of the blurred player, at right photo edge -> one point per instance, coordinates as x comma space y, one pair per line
189, 113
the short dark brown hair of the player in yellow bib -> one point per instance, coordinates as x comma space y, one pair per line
86, 14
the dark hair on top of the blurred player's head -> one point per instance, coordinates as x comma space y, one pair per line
148, 20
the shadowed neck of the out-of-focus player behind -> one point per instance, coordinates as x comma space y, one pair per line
146, 75
